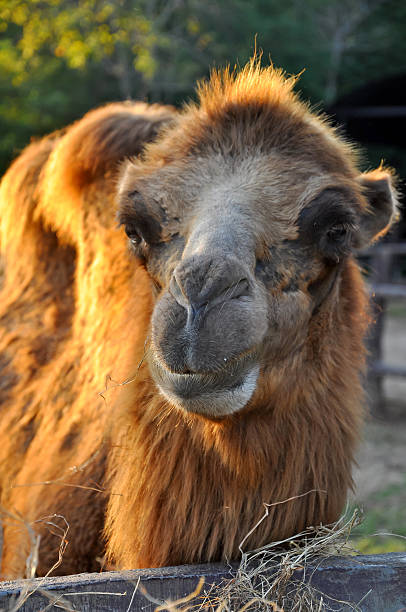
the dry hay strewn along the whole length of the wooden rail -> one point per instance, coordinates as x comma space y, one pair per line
276, 577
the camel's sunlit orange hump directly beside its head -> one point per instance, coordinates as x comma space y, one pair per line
90, 151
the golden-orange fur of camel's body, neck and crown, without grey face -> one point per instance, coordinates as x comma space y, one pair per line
76, 309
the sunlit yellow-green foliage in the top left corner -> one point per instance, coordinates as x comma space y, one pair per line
78, 33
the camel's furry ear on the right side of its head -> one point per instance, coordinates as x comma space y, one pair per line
381, 212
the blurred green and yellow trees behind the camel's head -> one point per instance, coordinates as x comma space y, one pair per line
59, 58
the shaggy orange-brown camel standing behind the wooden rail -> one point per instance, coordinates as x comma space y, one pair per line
182, 324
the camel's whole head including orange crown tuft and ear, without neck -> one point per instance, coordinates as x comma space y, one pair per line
244, 214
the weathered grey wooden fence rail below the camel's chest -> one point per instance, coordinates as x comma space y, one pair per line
380, 579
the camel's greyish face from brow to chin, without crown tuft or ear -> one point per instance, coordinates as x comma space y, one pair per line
241, 256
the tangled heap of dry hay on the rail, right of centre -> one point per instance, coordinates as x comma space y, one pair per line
277, 576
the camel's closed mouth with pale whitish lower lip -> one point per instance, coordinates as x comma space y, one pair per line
212, 394
